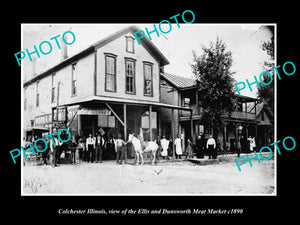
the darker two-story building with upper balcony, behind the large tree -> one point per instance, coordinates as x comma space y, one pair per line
243, 121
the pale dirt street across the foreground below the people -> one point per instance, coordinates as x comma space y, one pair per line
160, 179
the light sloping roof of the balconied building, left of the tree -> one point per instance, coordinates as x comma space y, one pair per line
178, 81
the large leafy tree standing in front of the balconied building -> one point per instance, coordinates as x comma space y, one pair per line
215, 81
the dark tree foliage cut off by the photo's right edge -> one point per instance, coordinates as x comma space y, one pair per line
266, 93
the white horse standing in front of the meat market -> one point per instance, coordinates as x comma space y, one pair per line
150, 146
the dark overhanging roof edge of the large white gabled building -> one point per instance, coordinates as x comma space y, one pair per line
146, 43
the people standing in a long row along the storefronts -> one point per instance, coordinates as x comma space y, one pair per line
91, 149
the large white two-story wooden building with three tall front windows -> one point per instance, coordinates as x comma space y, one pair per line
113, 84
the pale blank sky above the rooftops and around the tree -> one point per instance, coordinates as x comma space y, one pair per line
244, 40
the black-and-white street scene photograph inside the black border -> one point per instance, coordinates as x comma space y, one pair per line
148, 109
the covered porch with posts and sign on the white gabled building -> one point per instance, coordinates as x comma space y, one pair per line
114, 116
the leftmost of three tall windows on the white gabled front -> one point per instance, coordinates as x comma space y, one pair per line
110, 73
